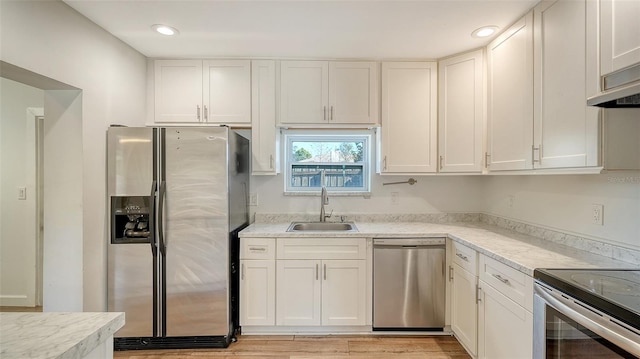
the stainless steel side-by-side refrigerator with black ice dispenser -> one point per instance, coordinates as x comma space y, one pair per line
177, 198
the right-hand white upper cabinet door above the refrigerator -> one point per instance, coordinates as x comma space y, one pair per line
227, 92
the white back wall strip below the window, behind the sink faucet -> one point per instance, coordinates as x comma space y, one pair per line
430, 195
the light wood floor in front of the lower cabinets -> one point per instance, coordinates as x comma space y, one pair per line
316, 347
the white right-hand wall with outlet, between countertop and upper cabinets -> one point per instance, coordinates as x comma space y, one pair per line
563, 202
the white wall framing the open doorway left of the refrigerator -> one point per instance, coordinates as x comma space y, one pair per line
51, 39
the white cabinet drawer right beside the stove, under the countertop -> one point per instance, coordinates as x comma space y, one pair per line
512, 283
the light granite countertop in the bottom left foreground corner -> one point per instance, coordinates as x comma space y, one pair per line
55, 335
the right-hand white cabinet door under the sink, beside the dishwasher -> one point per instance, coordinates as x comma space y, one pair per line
344, 288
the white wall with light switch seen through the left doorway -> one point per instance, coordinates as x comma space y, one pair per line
17, 217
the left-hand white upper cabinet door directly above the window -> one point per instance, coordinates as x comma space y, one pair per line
304, 91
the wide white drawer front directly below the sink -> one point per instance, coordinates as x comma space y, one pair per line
322, 248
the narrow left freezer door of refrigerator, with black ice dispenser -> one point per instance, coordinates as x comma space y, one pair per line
131, 265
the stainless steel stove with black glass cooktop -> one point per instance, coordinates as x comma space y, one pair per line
587, 312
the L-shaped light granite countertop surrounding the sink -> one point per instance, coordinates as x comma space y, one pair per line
522, 252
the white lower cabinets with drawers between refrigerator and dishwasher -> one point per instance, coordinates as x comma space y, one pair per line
292, 283
